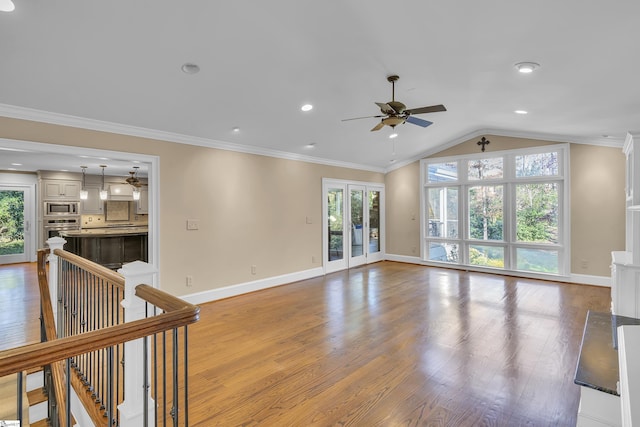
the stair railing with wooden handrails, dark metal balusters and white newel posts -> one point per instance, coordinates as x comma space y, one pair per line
153, 388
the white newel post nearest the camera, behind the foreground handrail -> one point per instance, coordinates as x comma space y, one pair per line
136, 392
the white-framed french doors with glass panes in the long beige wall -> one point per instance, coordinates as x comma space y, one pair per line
353, 214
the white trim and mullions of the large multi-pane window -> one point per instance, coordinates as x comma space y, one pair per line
509, 180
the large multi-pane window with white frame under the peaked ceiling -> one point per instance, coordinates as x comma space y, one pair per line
500, 210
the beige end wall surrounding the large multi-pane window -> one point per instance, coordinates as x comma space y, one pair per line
597, 201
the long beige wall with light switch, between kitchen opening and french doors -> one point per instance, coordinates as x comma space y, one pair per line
252, 209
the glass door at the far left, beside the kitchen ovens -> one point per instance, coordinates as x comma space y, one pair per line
14, 225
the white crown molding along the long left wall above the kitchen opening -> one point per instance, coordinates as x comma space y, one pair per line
23, 113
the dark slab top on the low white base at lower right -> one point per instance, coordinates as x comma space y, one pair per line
598, 361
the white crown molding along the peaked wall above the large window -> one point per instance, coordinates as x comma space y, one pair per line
603, 142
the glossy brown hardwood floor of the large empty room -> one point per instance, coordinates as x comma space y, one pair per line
391, 344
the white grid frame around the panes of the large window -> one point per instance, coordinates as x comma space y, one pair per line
509, 181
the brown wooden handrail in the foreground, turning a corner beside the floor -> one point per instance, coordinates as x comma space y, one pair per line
177, 313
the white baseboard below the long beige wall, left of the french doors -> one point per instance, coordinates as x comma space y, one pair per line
256, 285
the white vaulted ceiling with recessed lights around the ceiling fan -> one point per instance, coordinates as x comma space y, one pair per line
119, 62
